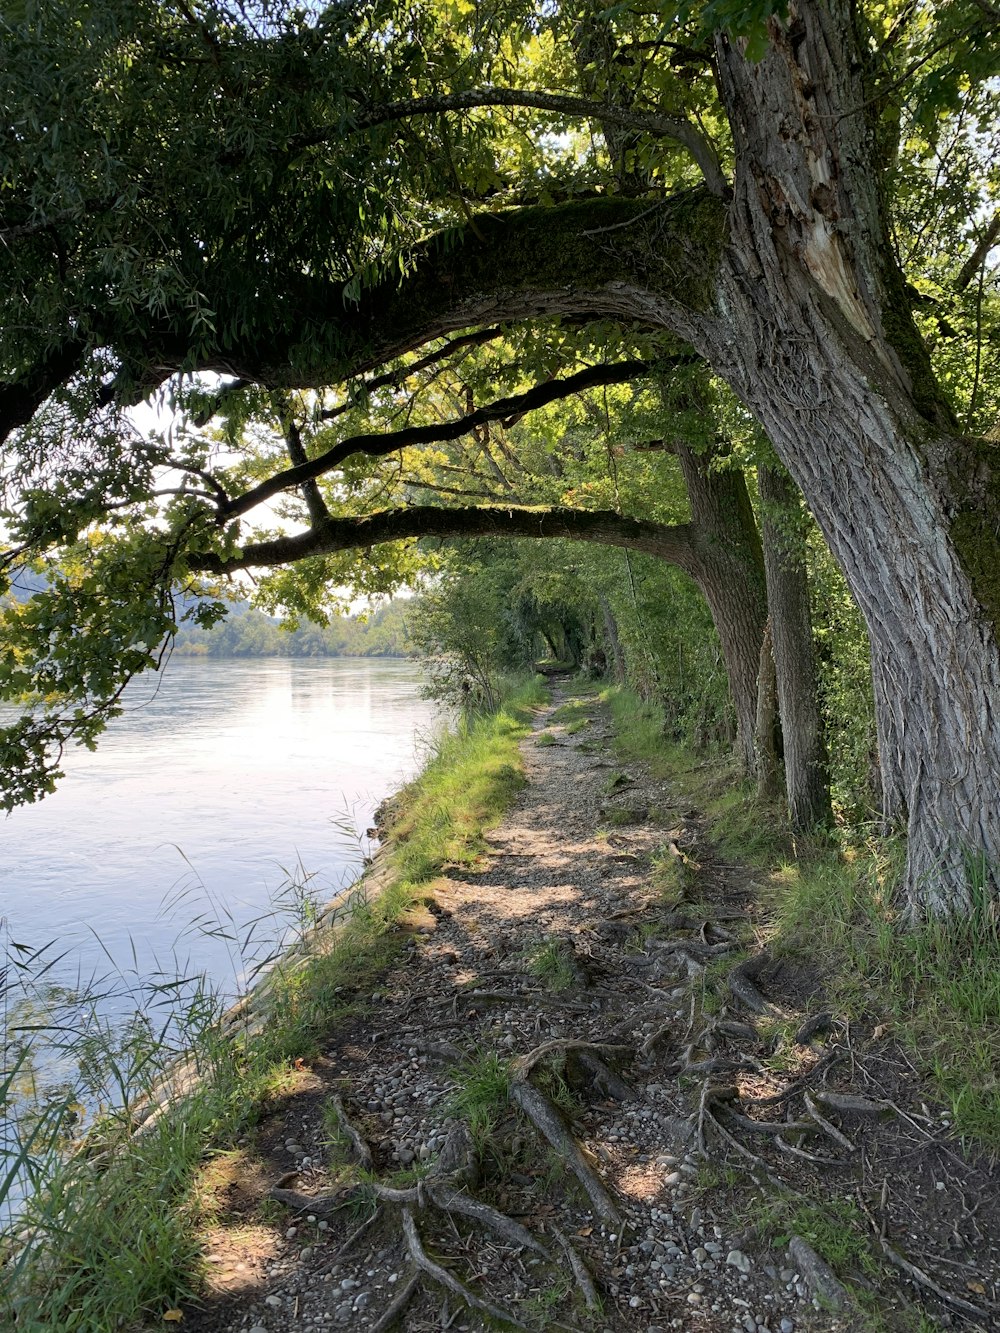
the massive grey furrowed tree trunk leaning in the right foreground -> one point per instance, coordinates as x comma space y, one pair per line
821, 346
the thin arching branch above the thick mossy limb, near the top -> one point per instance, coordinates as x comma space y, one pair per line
663, 127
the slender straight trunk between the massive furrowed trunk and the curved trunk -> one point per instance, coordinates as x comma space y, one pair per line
807, 779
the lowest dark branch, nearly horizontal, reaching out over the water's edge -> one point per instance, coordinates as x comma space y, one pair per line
675, 543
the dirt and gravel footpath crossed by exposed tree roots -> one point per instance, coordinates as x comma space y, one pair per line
585, 1104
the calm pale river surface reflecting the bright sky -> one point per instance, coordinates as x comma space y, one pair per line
222, 780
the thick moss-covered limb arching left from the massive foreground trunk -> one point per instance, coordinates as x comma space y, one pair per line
639, 263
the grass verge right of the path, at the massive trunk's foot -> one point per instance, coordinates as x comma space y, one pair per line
937, 987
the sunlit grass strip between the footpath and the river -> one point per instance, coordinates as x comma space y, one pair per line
111, 1238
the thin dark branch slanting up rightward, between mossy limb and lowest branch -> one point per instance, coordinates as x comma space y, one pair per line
381, 445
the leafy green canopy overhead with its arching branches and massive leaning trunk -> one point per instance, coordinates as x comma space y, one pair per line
359, 254
